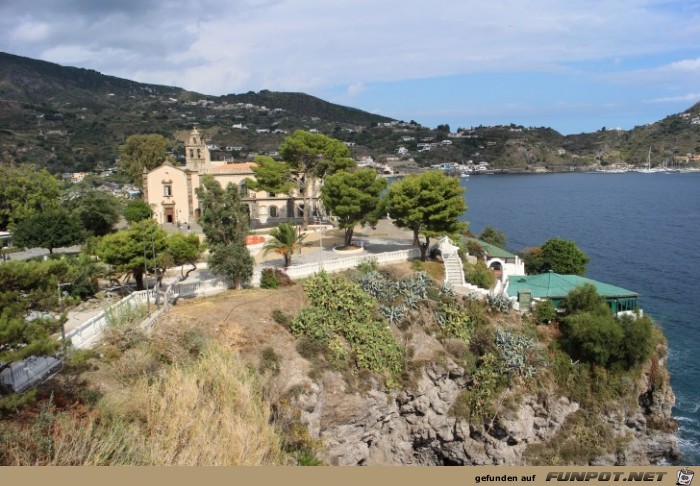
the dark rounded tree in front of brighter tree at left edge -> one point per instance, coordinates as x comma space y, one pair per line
49, 229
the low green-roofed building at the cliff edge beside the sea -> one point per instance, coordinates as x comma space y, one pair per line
523, 289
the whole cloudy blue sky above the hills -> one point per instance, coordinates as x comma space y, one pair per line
573, 65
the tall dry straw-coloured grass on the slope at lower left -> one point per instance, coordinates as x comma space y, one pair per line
206, 409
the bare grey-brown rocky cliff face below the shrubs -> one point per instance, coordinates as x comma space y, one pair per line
415, 426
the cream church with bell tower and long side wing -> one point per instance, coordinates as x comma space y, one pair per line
171, 190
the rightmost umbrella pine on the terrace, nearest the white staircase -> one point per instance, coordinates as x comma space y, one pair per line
429, 204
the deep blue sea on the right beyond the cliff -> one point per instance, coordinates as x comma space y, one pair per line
640, 231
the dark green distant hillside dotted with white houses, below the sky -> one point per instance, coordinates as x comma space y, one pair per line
69, 119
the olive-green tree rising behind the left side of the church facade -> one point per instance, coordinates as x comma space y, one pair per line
141, 152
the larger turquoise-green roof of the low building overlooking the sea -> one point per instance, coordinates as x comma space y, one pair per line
554, 286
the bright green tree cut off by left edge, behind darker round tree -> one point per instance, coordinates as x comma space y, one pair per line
25, 191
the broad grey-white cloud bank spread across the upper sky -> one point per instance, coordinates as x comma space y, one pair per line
306, 44
